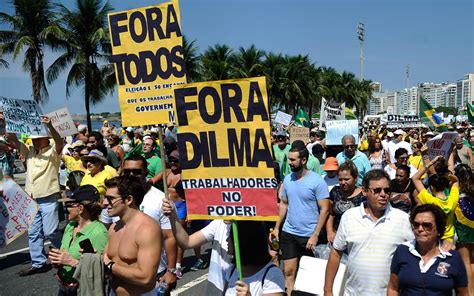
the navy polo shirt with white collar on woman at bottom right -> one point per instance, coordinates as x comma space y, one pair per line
439, 276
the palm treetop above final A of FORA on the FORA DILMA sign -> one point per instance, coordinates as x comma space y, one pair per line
249, 62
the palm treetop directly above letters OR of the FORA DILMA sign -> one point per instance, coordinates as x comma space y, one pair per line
218, 63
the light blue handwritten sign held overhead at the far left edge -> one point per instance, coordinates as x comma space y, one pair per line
23, 117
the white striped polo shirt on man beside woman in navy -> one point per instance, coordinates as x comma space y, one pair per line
371, 245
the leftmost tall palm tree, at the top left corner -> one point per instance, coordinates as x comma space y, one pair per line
31, 28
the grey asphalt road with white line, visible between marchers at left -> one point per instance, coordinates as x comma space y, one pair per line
15, 257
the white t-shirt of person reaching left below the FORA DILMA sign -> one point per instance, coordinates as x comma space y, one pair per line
218, 232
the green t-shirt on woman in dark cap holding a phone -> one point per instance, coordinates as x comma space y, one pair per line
95, 232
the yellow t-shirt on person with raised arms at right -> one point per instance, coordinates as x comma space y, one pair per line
448, 206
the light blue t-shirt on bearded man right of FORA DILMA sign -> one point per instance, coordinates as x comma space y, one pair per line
302, 196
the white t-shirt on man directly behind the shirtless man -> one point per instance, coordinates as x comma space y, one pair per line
151, 205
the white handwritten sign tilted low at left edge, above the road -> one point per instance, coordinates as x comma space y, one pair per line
17, 210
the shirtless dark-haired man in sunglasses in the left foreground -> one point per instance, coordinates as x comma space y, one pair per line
132, 254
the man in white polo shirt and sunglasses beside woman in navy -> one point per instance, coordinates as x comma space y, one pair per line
370, 233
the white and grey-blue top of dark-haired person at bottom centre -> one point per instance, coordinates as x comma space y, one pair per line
274, 281
